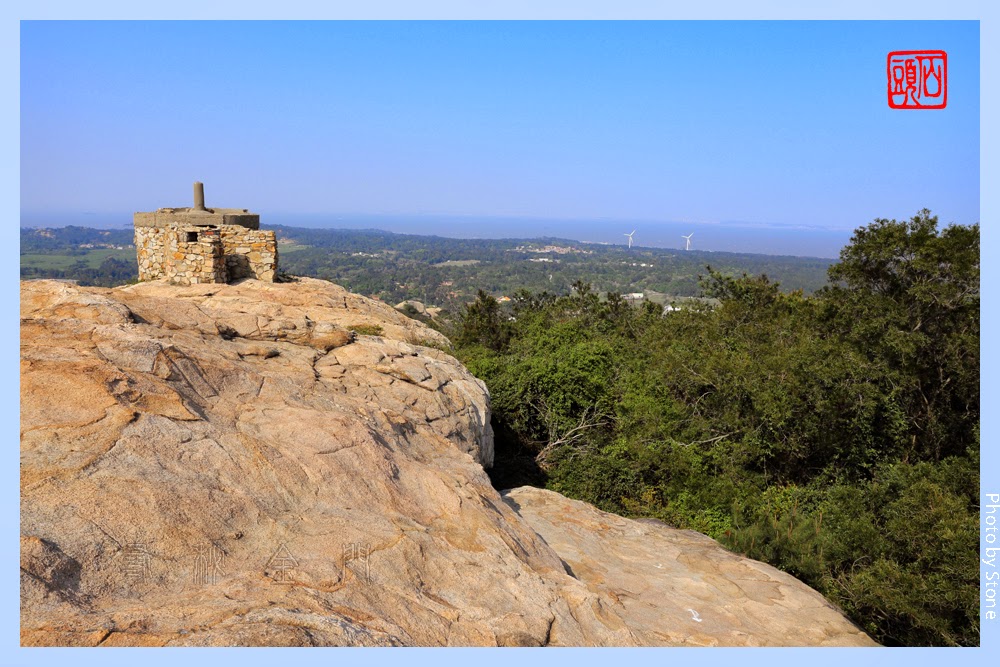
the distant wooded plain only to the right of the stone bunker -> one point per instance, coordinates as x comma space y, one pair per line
448, 272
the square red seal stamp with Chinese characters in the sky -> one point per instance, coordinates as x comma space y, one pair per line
917, 79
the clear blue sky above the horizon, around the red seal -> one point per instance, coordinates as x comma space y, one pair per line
762, 123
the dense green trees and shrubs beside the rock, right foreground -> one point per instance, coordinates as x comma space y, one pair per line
833, 435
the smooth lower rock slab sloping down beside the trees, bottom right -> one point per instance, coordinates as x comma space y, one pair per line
679, 587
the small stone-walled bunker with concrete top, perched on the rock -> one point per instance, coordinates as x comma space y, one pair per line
188, 246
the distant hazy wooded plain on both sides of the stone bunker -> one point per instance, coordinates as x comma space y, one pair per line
435, 270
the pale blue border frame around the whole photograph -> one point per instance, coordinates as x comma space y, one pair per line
12, 654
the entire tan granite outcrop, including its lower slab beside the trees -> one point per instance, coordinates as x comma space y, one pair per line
232, 465
